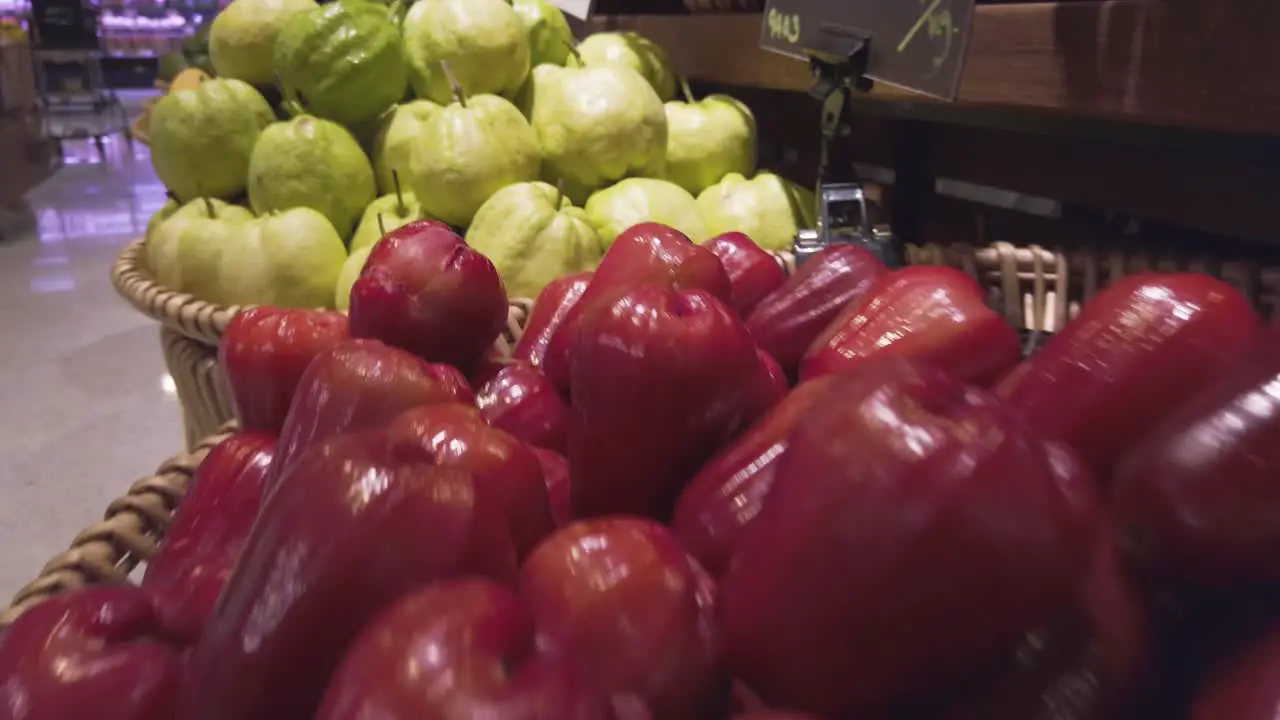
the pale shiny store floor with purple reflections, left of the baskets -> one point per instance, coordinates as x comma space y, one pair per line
85, 405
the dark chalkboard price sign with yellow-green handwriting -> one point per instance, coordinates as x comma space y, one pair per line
916, 44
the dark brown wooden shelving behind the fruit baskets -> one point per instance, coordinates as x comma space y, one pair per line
1163, 111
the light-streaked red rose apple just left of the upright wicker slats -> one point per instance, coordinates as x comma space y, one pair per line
927, 315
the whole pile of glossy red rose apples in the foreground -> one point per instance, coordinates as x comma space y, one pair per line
705, 490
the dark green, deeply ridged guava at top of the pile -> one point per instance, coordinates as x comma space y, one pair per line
344, 62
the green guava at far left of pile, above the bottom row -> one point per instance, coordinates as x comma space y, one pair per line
202, 139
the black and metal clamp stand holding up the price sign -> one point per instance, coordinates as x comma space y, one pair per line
839, 63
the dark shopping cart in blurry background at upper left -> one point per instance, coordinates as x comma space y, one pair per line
74, 95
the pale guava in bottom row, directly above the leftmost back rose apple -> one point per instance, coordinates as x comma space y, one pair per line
289, 259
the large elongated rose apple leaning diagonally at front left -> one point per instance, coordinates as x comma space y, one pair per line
355, 525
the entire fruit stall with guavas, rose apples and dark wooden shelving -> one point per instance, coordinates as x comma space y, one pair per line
528, 407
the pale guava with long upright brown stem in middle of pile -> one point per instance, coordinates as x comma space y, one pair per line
469, 151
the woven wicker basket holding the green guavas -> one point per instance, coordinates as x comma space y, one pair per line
191, 330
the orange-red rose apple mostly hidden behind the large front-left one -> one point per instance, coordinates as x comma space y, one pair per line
458, 438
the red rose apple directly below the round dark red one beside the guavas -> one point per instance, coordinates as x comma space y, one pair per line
358, 386
